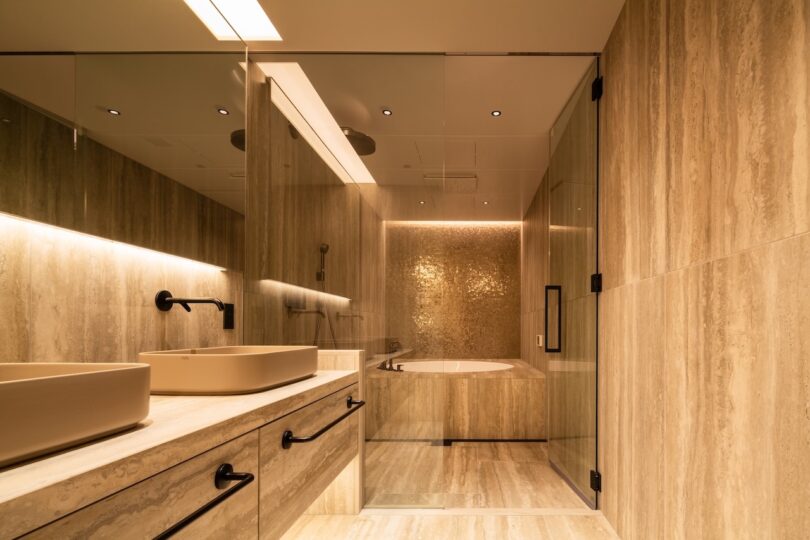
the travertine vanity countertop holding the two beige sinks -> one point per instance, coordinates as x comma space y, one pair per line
177, 428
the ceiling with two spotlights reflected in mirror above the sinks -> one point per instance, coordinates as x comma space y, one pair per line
168, 103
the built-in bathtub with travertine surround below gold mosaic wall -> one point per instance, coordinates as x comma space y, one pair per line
429, 399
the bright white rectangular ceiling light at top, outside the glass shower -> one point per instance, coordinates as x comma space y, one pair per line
232, 20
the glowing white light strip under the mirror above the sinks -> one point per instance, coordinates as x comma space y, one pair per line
11, 225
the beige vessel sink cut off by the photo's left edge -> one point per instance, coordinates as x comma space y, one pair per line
49, 406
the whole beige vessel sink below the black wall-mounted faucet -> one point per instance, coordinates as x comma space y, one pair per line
229, 370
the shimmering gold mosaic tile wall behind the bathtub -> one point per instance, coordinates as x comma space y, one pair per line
453, 291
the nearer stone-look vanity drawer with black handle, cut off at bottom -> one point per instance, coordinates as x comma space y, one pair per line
148, 508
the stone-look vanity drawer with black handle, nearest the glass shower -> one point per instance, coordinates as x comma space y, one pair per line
292, 478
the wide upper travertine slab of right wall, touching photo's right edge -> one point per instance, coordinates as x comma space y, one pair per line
738, 160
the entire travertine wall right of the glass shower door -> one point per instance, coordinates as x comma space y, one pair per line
735, 296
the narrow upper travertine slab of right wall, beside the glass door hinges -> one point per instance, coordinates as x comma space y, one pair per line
633, 187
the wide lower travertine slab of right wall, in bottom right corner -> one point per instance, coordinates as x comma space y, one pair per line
738, 386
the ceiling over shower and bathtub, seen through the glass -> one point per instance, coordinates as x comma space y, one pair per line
441, 155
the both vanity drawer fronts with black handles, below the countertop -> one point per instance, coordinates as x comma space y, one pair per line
286, 482
